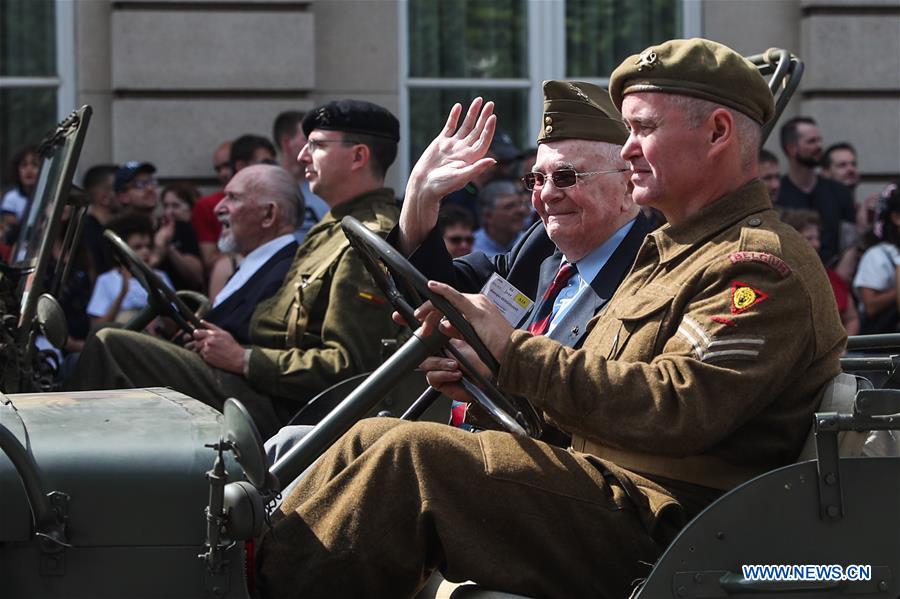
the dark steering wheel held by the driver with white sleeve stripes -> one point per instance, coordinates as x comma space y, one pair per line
388, 267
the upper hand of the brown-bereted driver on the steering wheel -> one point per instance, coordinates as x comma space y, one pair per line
492, 328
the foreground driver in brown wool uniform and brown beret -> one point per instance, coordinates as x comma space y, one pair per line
703, 371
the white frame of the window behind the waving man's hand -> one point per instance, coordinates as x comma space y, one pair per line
546, 21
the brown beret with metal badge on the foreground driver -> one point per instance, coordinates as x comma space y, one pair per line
699, 68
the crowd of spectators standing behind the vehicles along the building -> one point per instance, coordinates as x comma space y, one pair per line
178, 233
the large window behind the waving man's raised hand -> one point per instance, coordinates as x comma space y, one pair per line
458, 49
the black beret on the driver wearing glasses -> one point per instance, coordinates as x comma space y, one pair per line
353, 116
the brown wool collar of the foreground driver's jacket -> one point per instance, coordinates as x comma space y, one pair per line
672, 241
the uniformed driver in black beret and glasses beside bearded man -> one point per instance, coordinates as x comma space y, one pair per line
326, 321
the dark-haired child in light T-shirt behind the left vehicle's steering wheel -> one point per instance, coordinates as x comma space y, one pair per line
117, 297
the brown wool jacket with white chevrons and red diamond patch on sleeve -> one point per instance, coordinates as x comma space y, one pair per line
707, 366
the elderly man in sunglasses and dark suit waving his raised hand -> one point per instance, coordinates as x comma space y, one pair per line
587, 238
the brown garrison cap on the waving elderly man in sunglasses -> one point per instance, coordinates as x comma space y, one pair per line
577, 110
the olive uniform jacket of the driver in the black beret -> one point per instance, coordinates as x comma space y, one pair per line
343, 316
